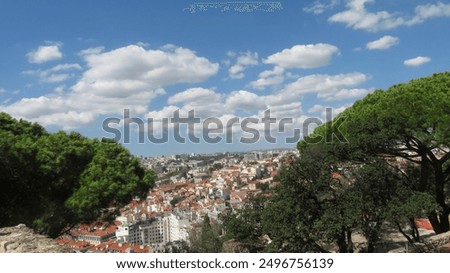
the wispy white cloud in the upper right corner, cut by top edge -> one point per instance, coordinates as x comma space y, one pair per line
358, 17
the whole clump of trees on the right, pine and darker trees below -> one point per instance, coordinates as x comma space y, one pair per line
383, 161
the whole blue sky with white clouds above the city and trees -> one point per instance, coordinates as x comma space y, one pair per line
69, 65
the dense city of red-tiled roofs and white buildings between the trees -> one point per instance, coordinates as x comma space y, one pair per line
188, 188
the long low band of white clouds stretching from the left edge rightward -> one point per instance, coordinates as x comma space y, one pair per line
74, 109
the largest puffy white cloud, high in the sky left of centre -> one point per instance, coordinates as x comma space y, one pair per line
133, 70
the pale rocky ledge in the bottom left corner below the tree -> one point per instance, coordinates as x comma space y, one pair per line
24, 240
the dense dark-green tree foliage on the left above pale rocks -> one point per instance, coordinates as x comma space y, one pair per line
50, 181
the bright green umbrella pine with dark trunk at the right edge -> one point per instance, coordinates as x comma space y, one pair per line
407, 125
